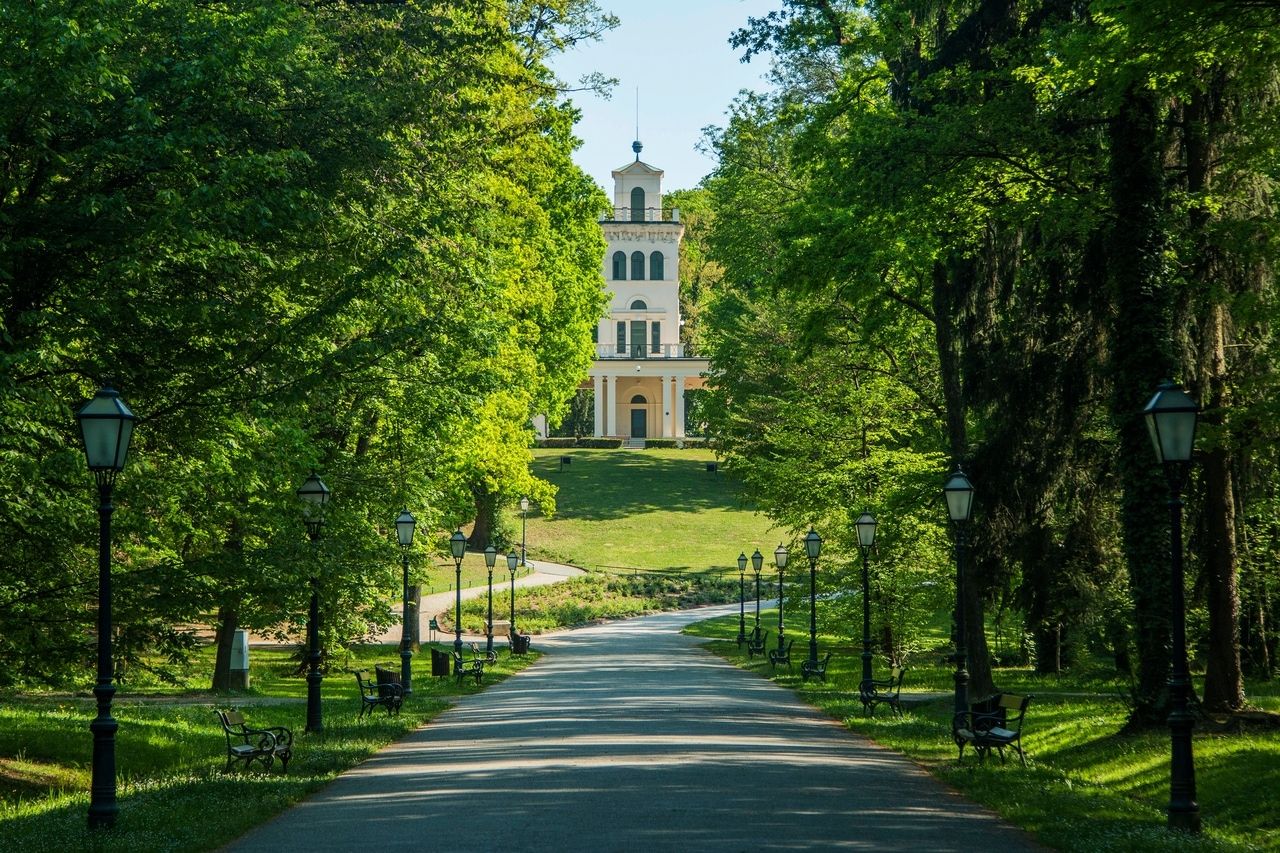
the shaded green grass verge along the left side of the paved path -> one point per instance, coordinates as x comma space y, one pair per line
172, 792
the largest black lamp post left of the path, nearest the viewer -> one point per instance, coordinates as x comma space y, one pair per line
107, 427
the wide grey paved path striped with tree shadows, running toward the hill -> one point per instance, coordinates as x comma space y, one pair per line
627, 737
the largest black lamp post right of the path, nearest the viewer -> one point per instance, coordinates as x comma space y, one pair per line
1172, 417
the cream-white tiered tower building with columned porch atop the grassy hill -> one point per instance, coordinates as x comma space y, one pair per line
642, 370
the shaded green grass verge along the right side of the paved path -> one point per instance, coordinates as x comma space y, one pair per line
1087, 787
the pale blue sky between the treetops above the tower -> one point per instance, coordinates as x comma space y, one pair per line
678, 53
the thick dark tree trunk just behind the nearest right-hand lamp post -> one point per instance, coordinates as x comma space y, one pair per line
1140, 361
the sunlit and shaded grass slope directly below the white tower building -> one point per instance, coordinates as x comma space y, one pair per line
651, 509
